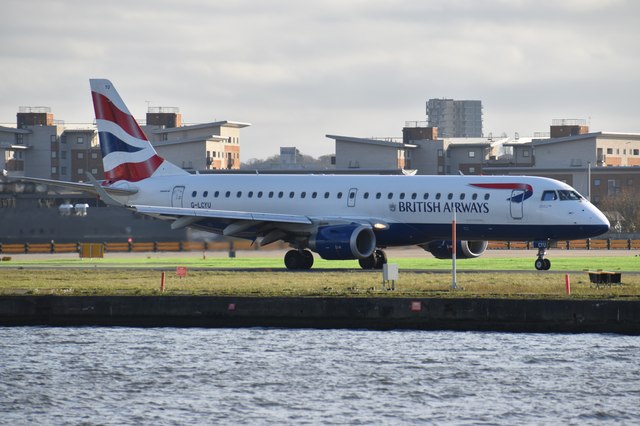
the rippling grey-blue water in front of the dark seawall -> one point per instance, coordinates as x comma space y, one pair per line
165, 376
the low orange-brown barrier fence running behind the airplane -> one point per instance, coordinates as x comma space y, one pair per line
232, 246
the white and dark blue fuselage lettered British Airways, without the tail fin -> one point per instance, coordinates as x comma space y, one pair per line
415, 208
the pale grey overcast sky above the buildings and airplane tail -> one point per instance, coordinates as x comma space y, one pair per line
298, 70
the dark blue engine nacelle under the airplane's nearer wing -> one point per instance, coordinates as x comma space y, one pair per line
340, 242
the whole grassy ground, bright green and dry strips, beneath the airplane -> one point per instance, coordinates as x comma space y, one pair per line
141, 276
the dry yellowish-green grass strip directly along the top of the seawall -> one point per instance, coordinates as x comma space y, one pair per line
101, 281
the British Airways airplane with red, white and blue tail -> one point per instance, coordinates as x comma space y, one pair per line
336, 216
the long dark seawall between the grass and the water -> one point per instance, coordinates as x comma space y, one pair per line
512, 315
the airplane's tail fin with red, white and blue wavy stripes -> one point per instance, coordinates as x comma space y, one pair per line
127, 154
